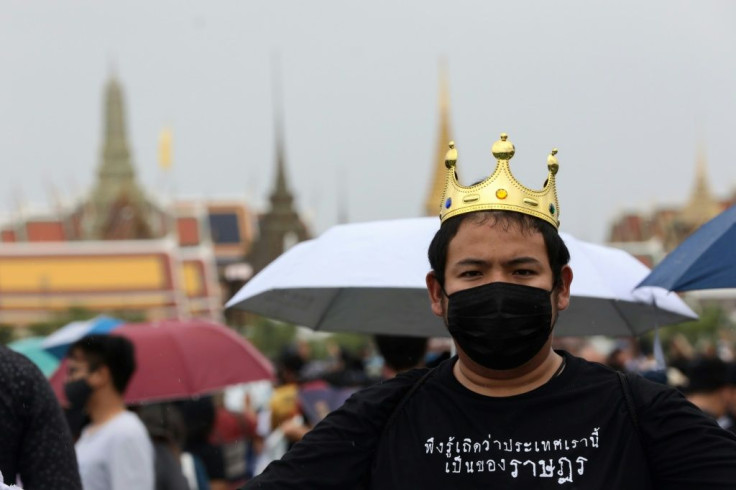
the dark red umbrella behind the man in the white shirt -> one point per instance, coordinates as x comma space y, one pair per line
184, 358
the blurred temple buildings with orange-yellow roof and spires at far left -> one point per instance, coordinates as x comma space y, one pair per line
121, 250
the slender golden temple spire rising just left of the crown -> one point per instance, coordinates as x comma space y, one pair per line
444, 135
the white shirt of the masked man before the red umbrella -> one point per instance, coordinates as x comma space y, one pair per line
118, 455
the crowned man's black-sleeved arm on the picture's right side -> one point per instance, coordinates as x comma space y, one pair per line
685, 448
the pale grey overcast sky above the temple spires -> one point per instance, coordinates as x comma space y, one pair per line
626, 90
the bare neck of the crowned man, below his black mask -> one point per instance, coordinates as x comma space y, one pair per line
528, 377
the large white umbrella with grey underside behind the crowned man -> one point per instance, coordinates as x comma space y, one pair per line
369, 277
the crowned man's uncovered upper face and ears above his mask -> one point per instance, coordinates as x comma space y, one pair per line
486, 252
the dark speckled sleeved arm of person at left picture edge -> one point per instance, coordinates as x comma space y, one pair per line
47, 458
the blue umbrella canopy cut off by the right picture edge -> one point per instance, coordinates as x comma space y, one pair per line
705, 260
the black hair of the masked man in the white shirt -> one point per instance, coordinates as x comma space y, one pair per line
113, 351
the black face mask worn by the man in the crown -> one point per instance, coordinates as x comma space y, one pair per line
500, 325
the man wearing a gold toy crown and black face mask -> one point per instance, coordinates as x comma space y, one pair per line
508, 411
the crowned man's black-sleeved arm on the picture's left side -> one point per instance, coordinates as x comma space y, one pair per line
337, 453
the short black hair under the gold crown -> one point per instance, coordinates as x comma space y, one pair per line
557, 252
